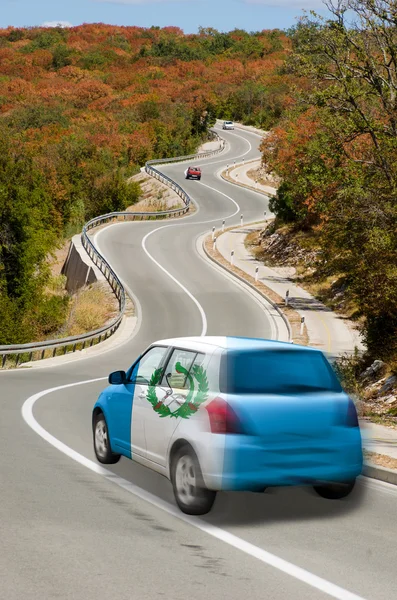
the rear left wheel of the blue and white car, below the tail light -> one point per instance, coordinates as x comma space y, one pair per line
191, 495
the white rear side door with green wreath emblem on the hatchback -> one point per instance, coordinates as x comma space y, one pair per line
175, 390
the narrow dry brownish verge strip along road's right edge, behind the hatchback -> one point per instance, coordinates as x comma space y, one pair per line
292, 316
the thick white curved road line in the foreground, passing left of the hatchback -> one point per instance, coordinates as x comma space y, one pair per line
232, 540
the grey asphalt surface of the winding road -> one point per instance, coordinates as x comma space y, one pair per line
71, 529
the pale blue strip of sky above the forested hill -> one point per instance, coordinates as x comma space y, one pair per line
224, 15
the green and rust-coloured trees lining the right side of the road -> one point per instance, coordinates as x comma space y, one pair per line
335, 152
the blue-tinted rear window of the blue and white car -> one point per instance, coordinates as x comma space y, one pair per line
276, 372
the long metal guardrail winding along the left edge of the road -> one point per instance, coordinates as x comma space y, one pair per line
20, 353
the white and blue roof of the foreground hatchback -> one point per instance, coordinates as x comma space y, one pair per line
231, 343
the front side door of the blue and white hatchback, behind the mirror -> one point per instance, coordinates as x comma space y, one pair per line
140, 378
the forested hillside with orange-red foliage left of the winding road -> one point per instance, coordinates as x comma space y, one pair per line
83, 108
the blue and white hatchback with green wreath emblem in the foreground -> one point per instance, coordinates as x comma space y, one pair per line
229, 413
